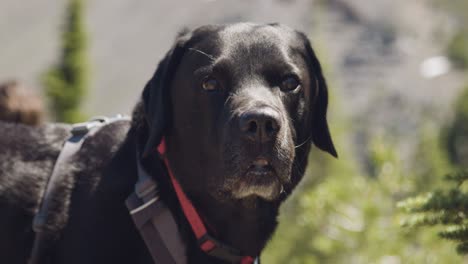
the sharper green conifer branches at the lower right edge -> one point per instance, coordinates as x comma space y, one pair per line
447, 205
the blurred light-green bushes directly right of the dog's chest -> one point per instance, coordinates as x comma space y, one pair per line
350, 215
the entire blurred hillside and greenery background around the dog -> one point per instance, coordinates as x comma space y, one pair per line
397, 72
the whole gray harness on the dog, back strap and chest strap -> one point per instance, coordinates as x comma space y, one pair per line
153, 219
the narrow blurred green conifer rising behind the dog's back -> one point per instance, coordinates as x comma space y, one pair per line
66, 82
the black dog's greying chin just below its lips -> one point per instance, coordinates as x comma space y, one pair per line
261, 183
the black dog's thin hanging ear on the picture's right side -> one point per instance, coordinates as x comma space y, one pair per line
319, 103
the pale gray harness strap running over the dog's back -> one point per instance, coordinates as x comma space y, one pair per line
44, 223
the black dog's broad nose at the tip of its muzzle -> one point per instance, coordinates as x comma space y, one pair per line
260, 125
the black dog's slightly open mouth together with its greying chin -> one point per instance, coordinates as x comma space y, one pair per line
260, 179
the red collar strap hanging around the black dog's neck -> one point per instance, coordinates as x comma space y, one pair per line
207, 243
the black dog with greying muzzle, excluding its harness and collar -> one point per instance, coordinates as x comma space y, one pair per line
238, 106
